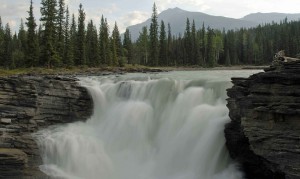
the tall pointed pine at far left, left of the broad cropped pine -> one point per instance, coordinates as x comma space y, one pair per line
32, 44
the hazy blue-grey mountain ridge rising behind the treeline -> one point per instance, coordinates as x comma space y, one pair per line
177, 19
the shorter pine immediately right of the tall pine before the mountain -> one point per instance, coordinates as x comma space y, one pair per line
162, 45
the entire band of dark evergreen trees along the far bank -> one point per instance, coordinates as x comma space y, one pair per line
62, 40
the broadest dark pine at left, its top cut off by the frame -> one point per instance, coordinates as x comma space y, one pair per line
49, 54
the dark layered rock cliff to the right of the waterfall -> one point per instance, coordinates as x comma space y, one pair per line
264, 134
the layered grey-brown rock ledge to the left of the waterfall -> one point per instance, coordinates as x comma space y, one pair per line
28, 104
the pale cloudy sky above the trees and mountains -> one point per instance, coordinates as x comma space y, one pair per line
130, 12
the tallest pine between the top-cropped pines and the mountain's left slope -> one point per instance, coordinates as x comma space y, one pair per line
80, 53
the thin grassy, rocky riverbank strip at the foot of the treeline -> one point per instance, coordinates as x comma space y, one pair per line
112, 70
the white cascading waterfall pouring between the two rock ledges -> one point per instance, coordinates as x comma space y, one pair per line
167, 126
